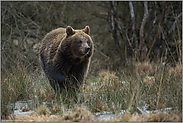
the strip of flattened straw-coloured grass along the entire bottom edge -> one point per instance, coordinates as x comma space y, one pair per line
80, 114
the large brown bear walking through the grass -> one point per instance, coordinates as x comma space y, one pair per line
65, 56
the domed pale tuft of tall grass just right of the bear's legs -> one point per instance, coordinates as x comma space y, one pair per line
108, 93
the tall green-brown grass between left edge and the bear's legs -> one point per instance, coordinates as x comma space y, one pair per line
21, 85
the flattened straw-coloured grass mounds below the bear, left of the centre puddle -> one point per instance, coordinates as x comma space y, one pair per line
42, 114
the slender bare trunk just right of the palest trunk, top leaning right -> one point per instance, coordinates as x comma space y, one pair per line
142, 27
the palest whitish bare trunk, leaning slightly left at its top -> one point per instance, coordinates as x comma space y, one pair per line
133, 29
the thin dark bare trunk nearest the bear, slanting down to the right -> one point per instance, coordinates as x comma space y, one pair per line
114, 33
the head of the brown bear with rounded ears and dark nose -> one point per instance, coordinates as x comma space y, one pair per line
79, 42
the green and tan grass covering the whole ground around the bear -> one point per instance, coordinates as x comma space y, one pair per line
155, 86
